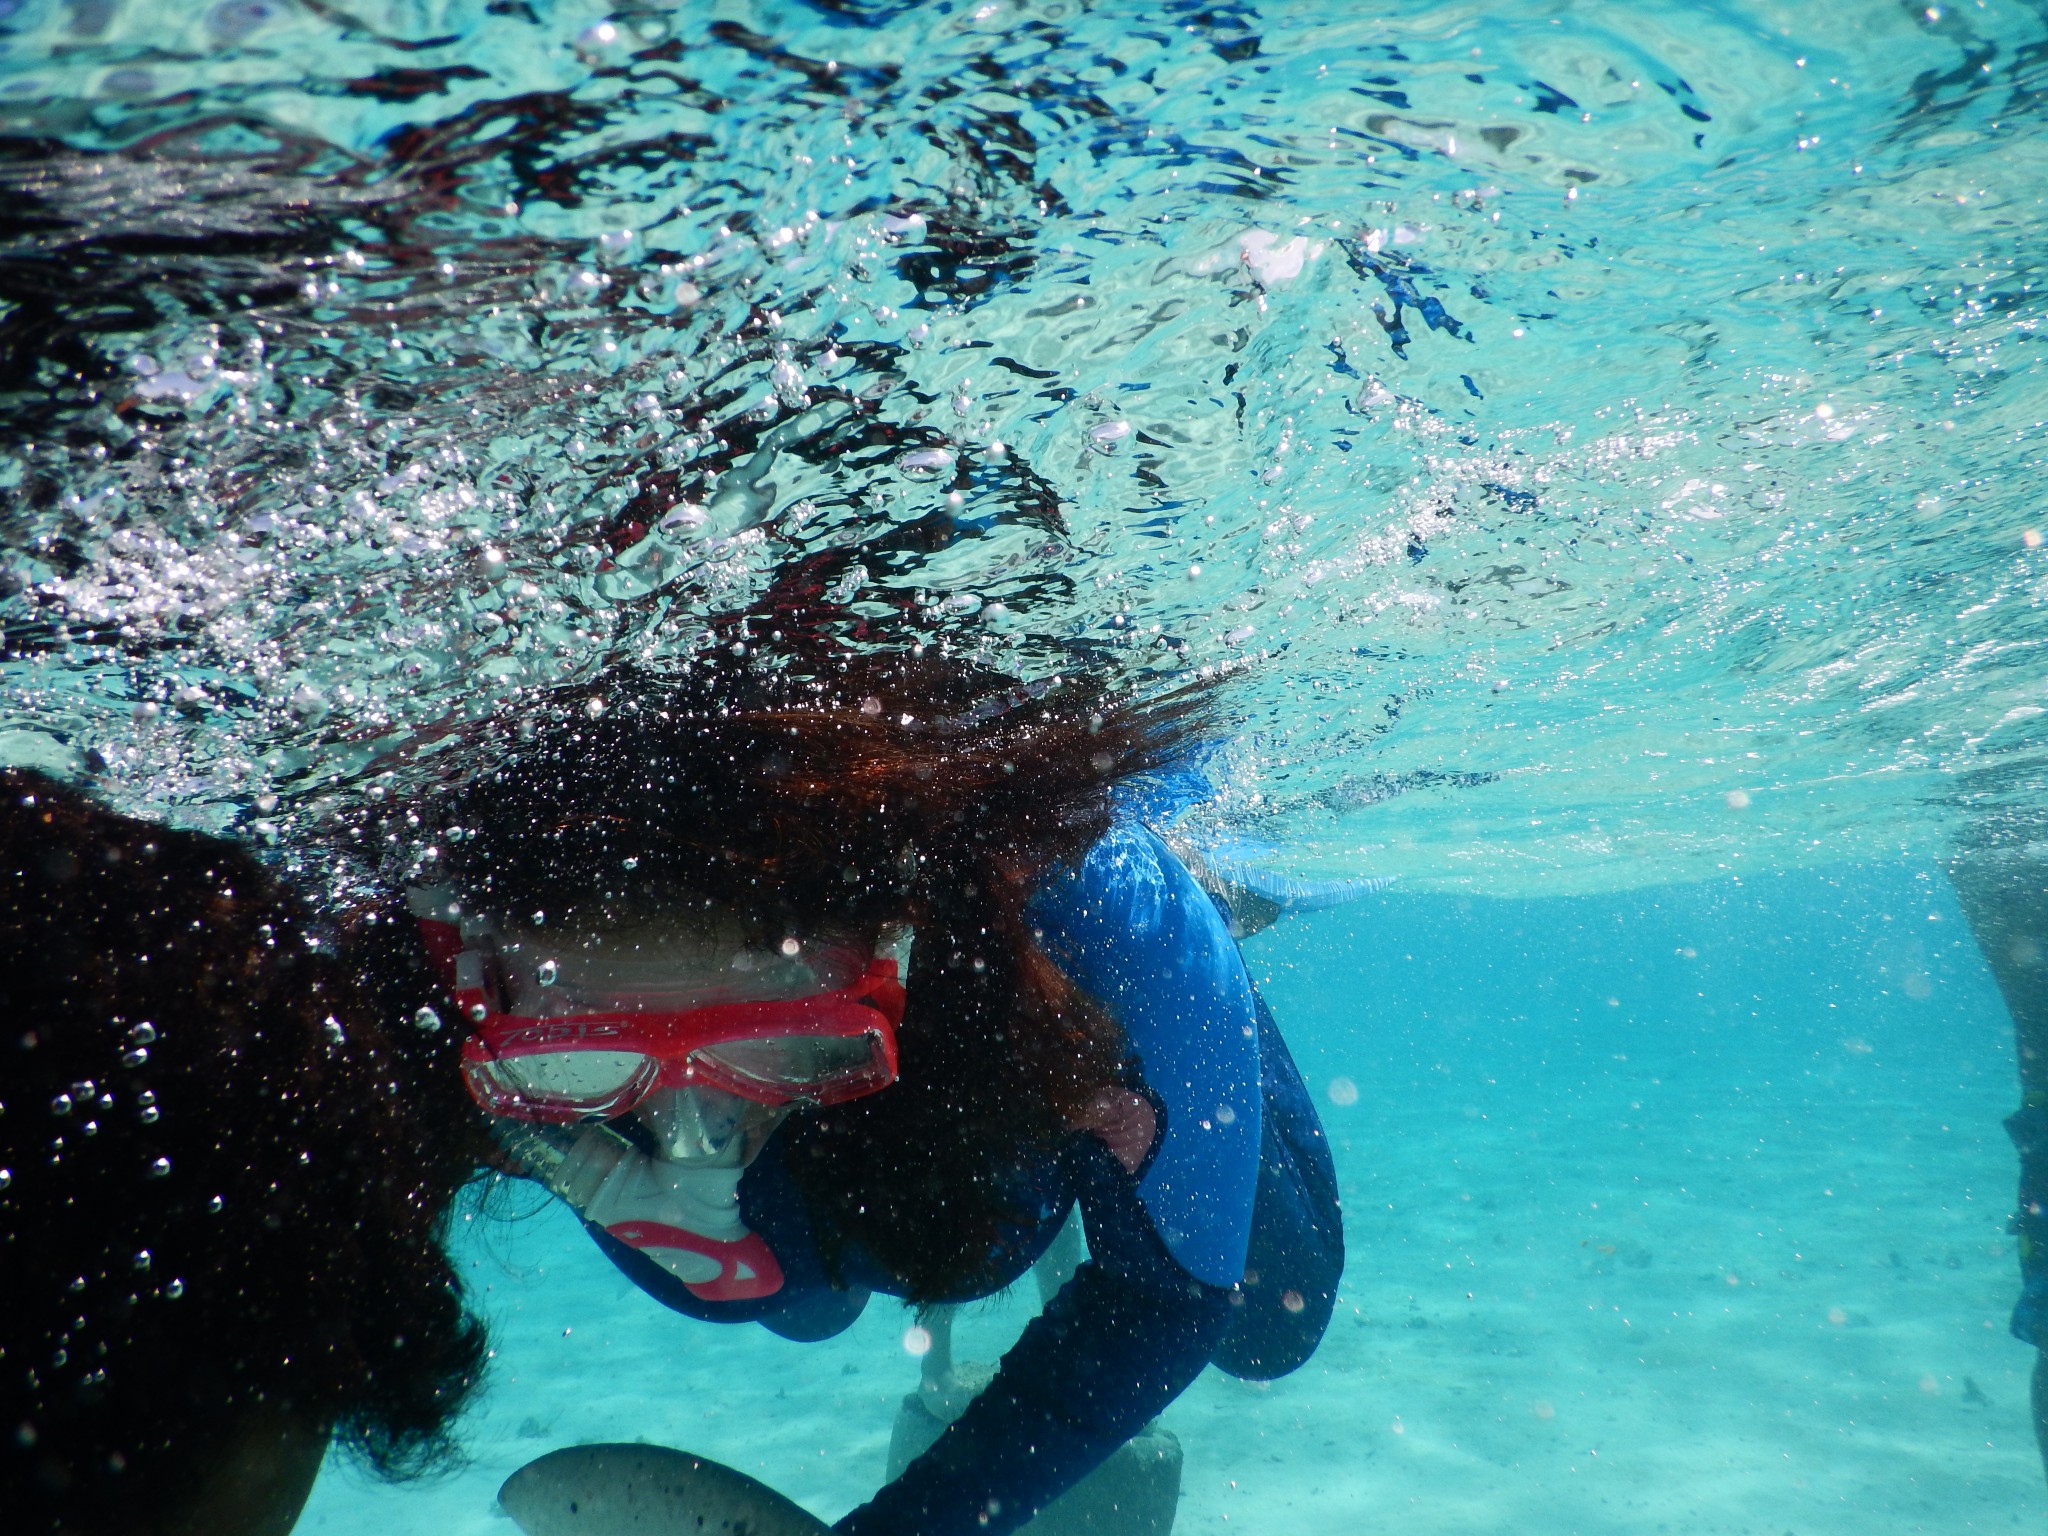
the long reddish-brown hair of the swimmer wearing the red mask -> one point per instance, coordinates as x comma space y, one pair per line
839, 796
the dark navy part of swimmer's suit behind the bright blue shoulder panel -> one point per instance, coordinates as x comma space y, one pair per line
1297, 1232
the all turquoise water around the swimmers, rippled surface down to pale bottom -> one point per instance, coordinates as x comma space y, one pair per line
1603, 445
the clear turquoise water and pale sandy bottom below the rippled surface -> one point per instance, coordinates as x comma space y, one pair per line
1678, 1211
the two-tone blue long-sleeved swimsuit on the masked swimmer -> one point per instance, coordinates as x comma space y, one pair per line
1224, 1248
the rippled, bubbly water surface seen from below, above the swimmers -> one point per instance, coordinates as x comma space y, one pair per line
1605, 437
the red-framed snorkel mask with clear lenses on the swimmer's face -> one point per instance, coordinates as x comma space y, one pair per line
572, 1066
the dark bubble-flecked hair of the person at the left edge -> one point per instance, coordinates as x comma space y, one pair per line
232, 1156
